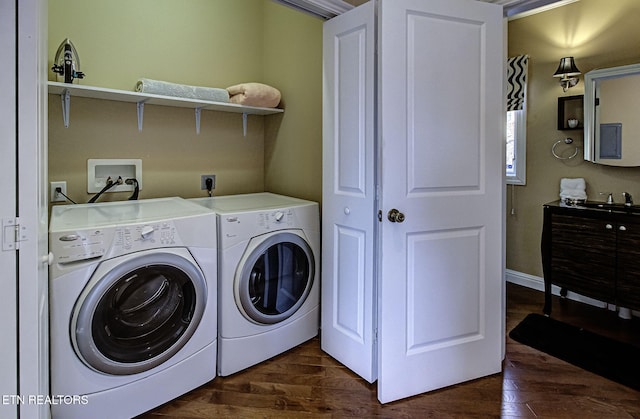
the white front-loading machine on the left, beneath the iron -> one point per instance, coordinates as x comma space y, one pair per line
133, 316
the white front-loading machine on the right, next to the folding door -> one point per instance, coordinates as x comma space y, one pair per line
268, 279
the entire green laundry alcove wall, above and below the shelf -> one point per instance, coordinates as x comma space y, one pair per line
200, 42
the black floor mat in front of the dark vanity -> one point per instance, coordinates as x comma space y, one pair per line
615, 360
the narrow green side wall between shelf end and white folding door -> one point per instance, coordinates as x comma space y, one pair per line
293, 142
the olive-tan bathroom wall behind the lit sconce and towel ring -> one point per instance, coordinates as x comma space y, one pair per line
598, 34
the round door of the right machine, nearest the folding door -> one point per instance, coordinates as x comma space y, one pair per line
276, 278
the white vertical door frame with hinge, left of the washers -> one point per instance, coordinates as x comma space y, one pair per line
32, 205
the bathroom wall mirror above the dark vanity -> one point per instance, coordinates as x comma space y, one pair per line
611, 119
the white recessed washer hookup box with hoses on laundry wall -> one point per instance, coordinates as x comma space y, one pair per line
100, 170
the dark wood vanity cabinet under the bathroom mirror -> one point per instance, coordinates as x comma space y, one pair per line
593, 252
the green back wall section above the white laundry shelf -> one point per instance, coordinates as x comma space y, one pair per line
201, 42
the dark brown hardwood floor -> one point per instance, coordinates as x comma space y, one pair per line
306, 383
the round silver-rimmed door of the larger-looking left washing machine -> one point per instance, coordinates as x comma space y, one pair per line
140, 313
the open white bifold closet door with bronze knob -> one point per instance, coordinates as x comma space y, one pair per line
413, 191
